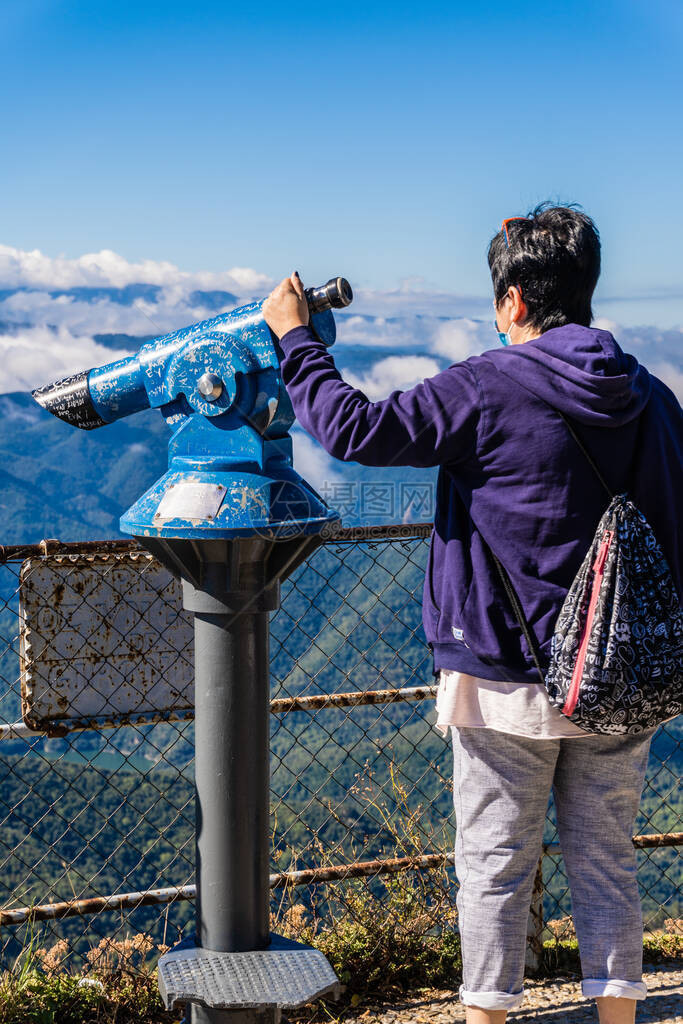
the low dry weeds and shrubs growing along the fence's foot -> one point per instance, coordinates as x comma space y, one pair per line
378, 958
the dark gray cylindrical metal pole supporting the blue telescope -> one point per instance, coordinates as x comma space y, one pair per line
232, 779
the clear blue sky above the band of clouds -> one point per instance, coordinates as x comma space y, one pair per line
385, 142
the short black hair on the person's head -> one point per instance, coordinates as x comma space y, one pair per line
554, 258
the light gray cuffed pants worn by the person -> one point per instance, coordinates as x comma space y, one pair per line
502, 785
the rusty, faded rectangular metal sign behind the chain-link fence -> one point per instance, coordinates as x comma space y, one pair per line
104, 642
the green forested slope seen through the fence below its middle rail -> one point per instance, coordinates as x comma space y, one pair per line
70, 831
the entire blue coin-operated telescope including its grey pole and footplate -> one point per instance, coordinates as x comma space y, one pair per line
233, 520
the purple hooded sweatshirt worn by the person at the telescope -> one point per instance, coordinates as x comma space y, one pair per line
510, 475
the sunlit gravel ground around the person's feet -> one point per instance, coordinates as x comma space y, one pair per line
558, 1001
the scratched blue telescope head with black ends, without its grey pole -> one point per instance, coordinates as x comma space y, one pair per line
219, 386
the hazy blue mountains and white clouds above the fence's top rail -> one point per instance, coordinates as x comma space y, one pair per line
61, 316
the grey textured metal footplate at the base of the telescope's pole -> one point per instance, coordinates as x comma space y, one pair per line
286, 975
